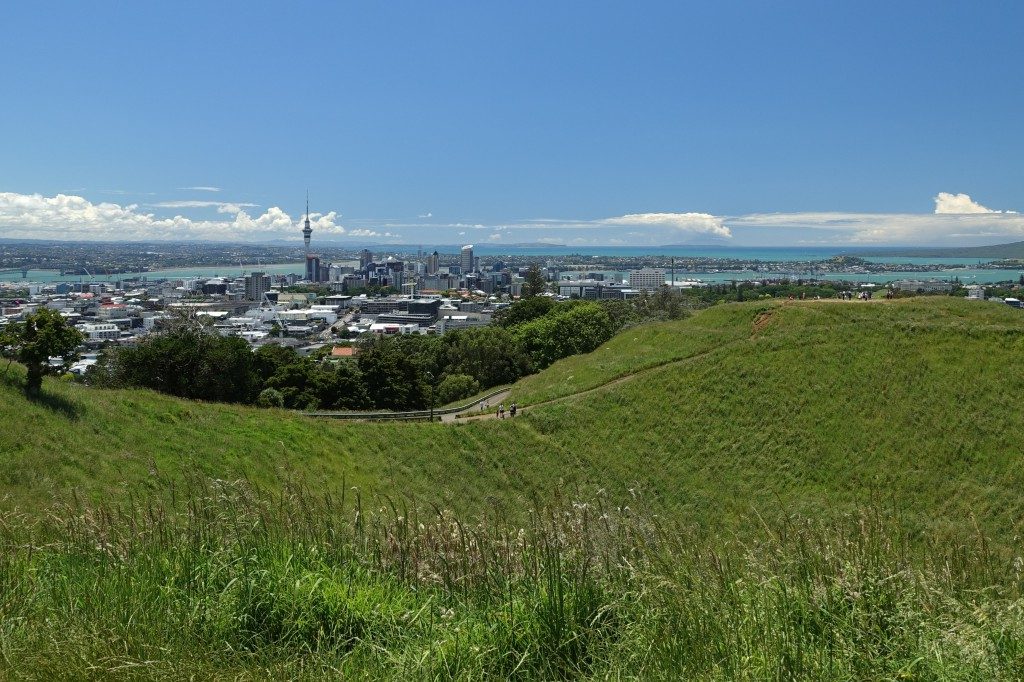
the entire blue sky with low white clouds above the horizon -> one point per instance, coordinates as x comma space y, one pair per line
746, 123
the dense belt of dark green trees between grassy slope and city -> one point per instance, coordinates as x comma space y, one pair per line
389, 373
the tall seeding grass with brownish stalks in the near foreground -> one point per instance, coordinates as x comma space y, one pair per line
234, 582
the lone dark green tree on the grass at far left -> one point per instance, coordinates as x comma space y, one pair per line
44, 335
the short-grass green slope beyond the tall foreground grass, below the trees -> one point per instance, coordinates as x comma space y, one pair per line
776, 408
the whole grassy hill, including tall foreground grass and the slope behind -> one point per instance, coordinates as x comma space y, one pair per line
764, 491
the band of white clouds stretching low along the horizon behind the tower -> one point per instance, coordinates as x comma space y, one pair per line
957, 220
